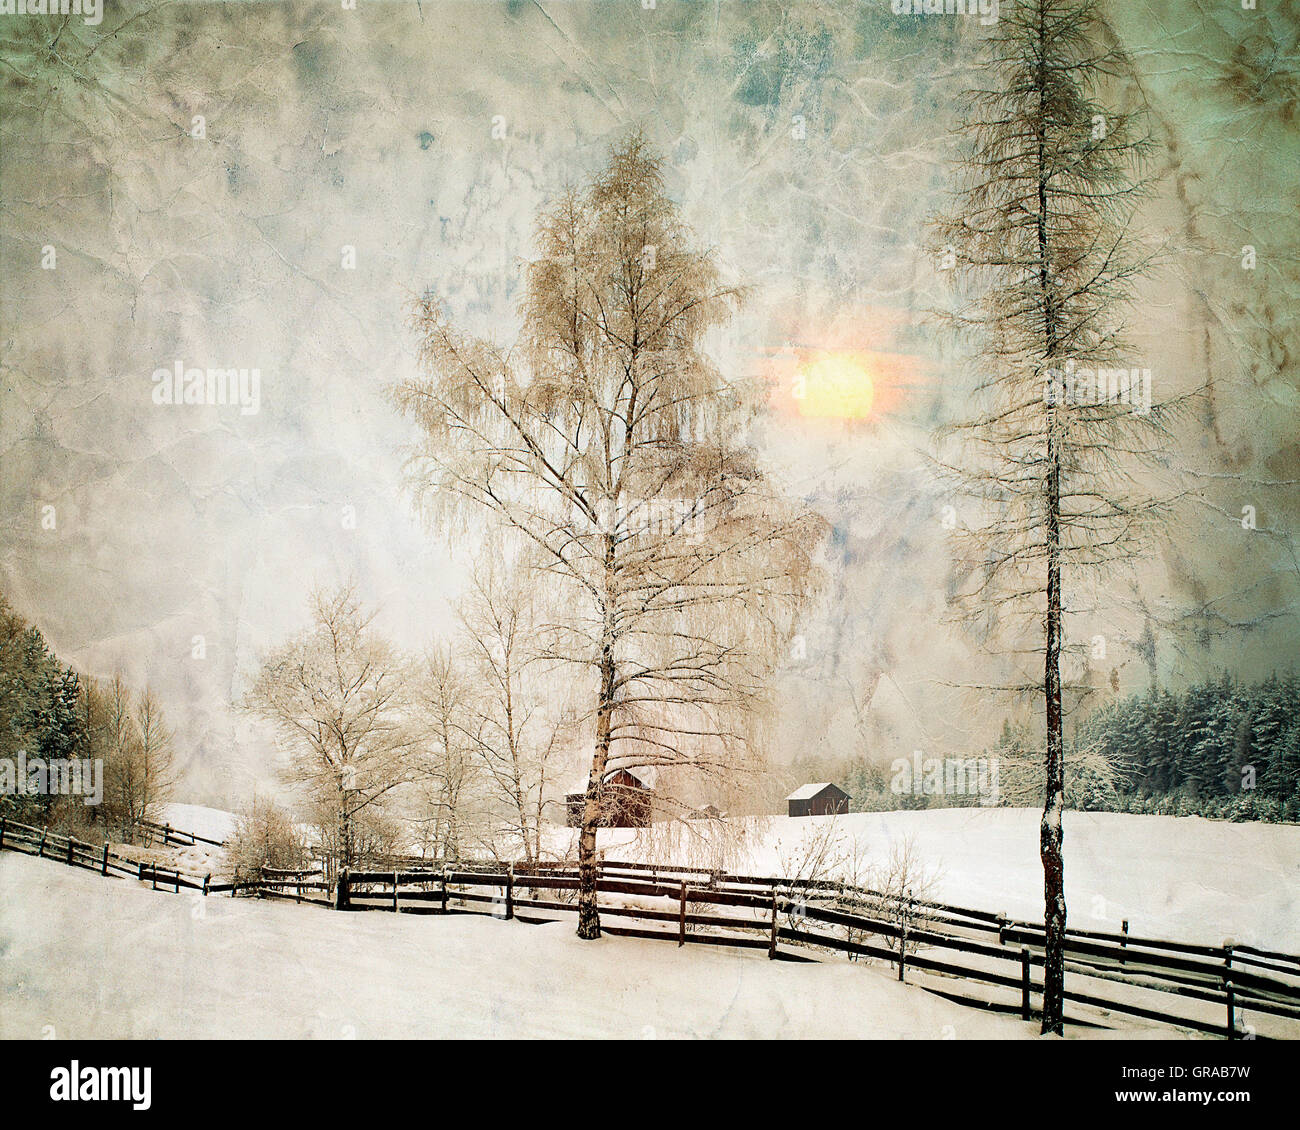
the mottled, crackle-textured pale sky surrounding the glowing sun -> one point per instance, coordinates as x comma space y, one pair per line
201, 170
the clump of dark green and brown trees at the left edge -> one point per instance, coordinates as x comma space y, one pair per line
51, 716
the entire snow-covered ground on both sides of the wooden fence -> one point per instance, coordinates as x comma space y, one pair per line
83, 956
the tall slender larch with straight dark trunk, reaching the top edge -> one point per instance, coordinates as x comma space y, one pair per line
1043, 226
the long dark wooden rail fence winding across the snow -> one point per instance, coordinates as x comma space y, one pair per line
791, 920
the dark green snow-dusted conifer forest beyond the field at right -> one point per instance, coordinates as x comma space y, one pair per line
1220, 750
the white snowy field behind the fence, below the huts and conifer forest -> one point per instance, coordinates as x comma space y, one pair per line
1181, 878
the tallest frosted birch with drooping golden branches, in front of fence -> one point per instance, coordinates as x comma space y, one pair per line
618, 453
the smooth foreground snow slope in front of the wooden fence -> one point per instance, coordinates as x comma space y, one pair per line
90, 958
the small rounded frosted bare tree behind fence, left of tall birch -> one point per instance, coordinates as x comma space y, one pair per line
333, 695
